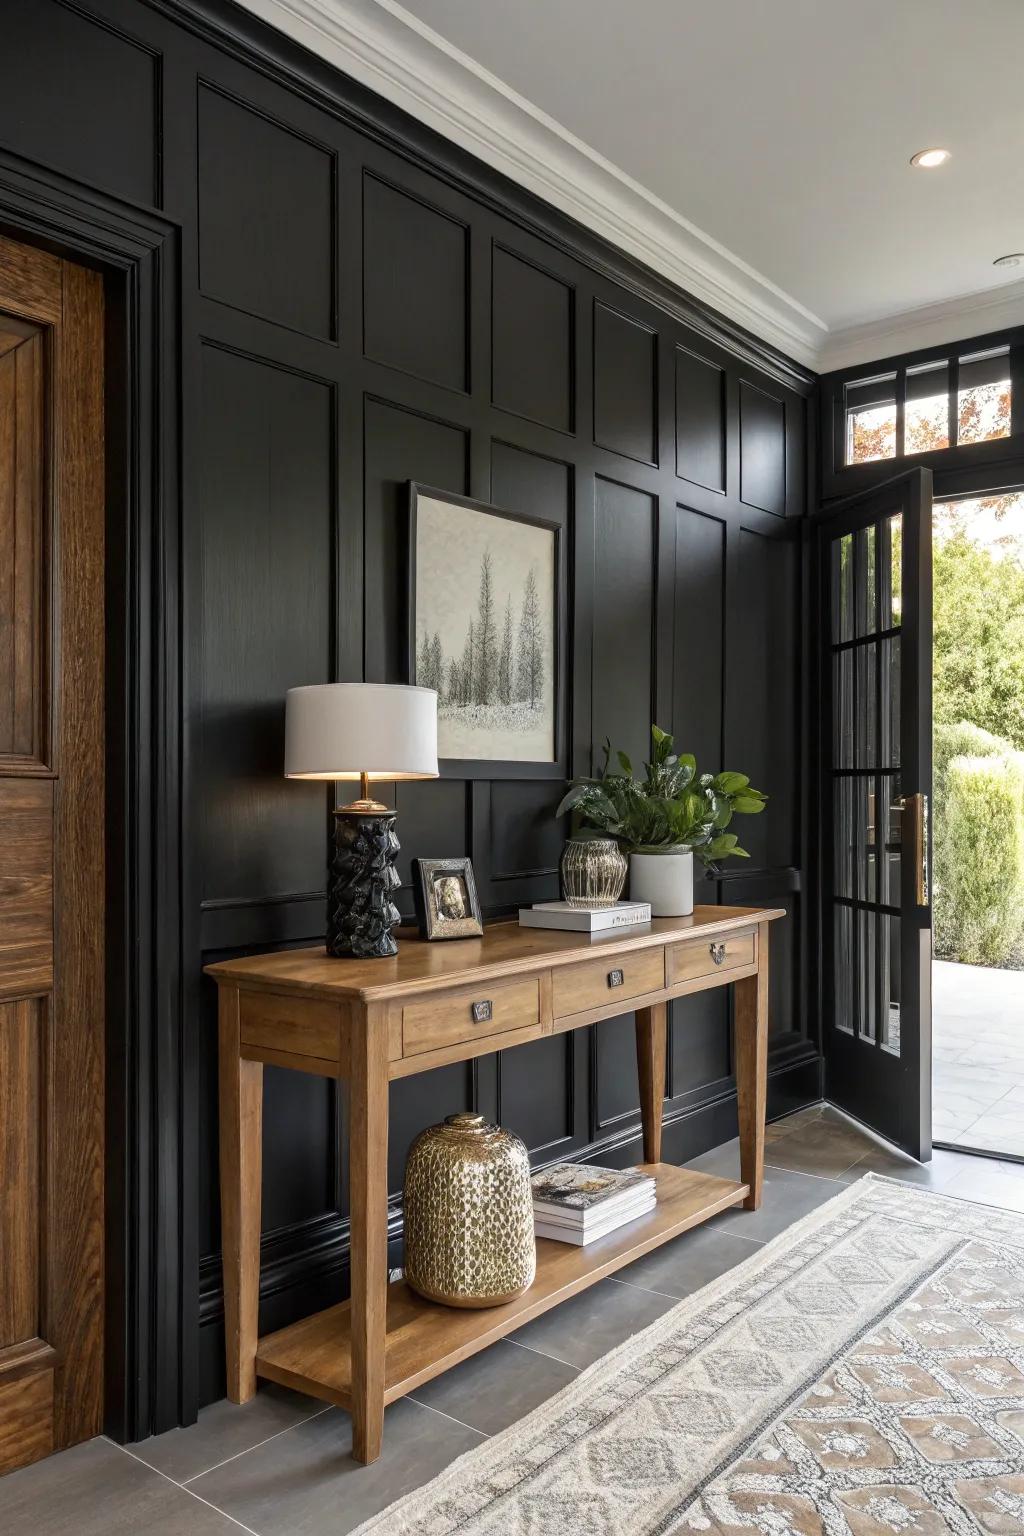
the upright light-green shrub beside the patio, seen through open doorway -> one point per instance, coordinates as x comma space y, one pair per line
979, 858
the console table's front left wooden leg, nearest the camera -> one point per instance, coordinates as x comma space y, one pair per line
368, 1157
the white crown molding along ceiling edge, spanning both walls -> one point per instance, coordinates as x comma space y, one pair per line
401, 59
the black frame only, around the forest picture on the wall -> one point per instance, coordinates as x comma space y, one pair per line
489, 767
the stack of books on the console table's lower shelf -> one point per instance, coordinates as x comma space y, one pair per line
578, 1203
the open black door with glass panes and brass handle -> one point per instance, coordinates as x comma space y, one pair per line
876, 563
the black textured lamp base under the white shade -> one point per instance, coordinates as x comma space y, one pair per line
360, 910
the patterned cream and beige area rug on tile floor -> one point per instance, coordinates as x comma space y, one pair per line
862, 1375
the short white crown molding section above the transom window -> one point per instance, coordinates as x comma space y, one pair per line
930, 326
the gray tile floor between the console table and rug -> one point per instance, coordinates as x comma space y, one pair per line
282, 1466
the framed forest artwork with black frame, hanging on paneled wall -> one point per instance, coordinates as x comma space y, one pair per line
486, 631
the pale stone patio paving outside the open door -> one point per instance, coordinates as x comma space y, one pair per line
979, 1054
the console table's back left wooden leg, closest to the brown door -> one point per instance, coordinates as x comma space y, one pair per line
242, 1188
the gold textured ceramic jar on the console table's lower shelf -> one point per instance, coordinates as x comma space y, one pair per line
469, 1214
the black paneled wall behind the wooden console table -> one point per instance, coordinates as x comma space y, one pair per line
358, 313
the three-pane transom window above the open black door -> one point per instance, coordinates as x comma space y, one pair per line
948, 402
